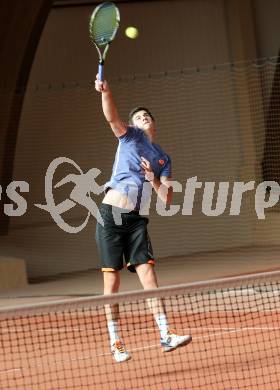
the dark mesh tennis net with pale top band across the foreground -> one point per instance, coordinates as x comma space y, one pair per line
234, 322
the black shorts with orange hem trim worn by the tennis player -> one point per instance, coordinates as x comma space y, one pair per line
127, 241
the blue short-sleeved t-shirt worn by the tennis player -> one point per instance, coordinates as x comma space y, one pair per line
128, 177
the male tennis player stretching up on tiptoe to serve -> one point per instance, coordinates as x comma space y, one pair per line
138, 161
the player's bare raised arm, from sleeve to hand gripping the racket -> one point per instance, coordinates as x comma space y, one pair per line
109, 108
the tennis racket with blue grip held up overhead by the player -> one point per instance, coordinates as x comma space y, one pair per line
103, 26
